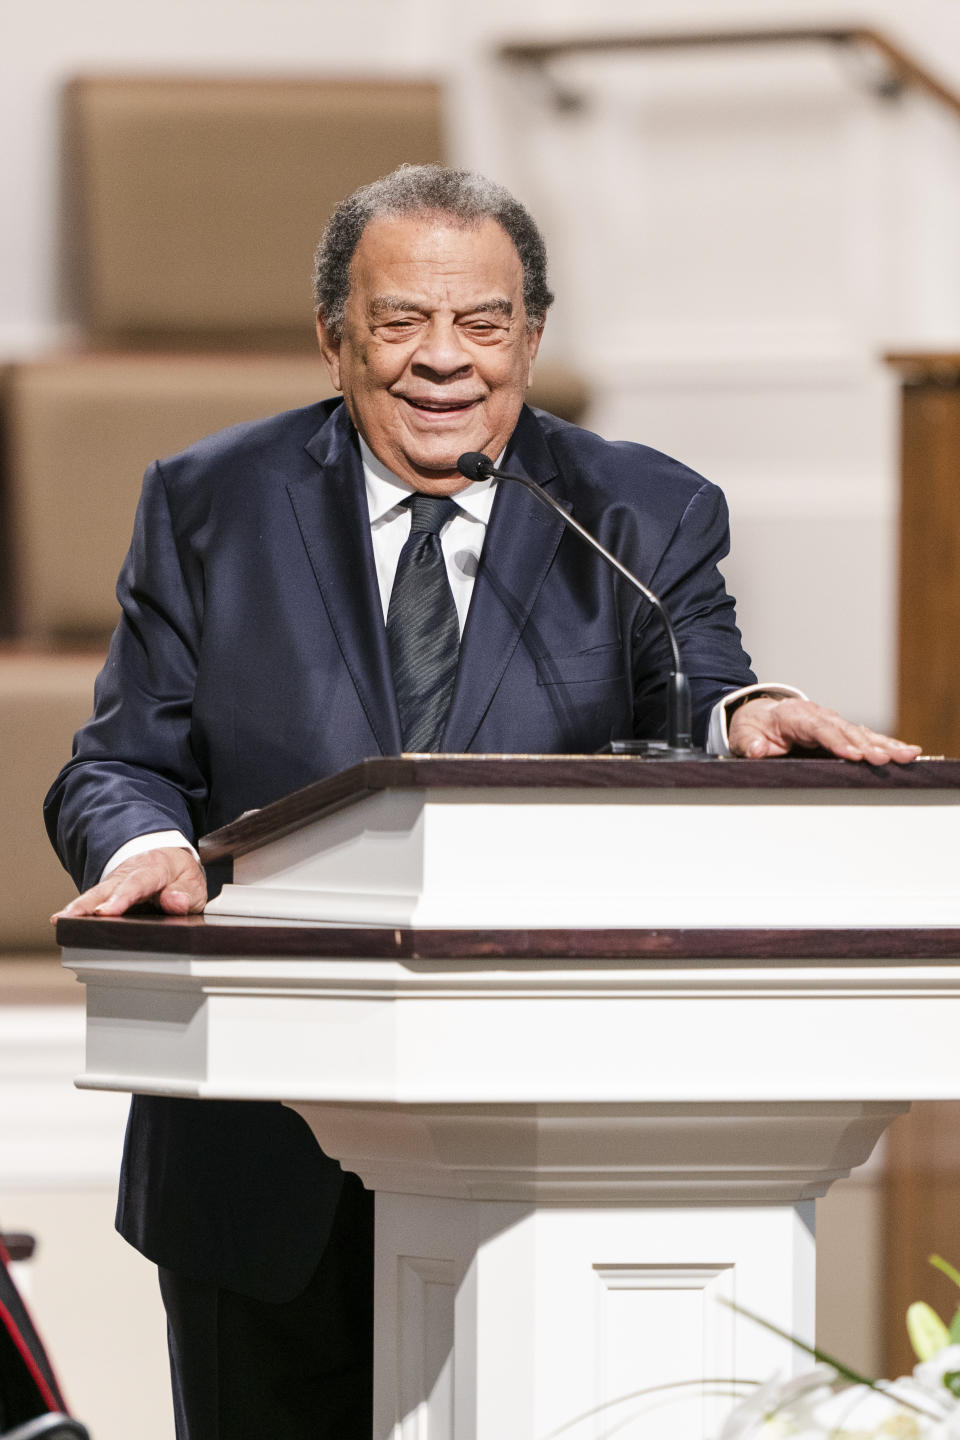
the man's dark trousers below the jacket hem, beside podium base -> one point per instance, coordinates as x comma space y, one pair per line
303, 1370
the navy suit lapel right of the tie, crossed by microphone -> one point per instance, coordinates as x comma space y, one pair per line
519, 549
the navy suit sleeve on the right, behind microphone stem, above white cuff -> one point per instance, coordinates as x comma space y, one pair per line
687, 580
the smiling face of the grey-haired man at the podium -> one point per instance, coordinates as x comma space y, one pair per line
435, 352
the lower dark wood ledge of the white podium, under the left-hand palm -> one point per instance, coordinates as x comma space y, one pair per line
196, 935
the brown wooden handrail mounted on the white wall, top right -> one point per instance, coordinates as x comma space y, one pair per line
906, 68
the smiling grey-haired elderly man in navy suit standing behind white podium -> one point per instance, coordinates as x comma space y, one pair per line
306, 591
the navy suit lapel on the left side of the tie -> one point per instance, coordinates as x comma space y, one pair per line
335, 523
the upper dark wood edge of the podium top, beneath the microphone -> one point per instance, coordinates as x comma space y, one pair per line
602, 773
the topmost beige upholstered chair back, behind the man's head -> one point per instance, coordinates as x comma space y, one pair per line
196, 204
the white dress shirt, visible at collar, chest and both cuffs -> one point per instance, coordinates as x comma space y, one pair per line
461, 541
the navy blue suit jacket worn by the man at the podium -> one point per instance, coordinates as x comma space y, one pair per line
251, 660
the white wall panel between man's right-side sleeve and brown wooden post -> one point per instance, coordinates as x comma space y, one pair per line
808, 459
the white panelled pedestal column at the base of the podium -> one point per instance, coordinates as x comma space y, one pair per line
499, 1321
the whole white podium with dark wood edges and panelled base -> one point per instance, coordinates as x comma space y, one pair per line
598, 1032
